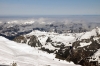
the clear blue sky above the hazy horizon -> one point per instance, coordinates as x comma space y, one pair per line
49, 7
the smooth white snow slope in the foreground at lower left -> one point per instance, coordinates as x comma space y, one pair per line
25, 55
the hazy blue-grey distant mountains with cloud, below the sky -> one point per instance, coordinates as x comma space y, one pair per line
15, 27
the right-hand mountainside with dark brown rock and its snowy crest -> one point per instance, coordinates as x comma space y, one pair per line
83, 49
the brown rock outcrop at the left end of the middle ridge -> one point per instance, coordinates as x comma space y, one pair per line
30, 40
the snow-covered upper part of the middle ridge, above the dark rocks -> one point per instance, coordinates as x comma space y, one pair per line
56, 39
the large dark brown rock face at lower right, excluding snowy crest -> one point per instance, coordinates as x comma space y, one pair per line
79, 54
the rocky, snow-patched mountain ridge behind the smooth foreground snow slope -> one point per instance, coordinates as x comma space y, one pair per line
76, 47
